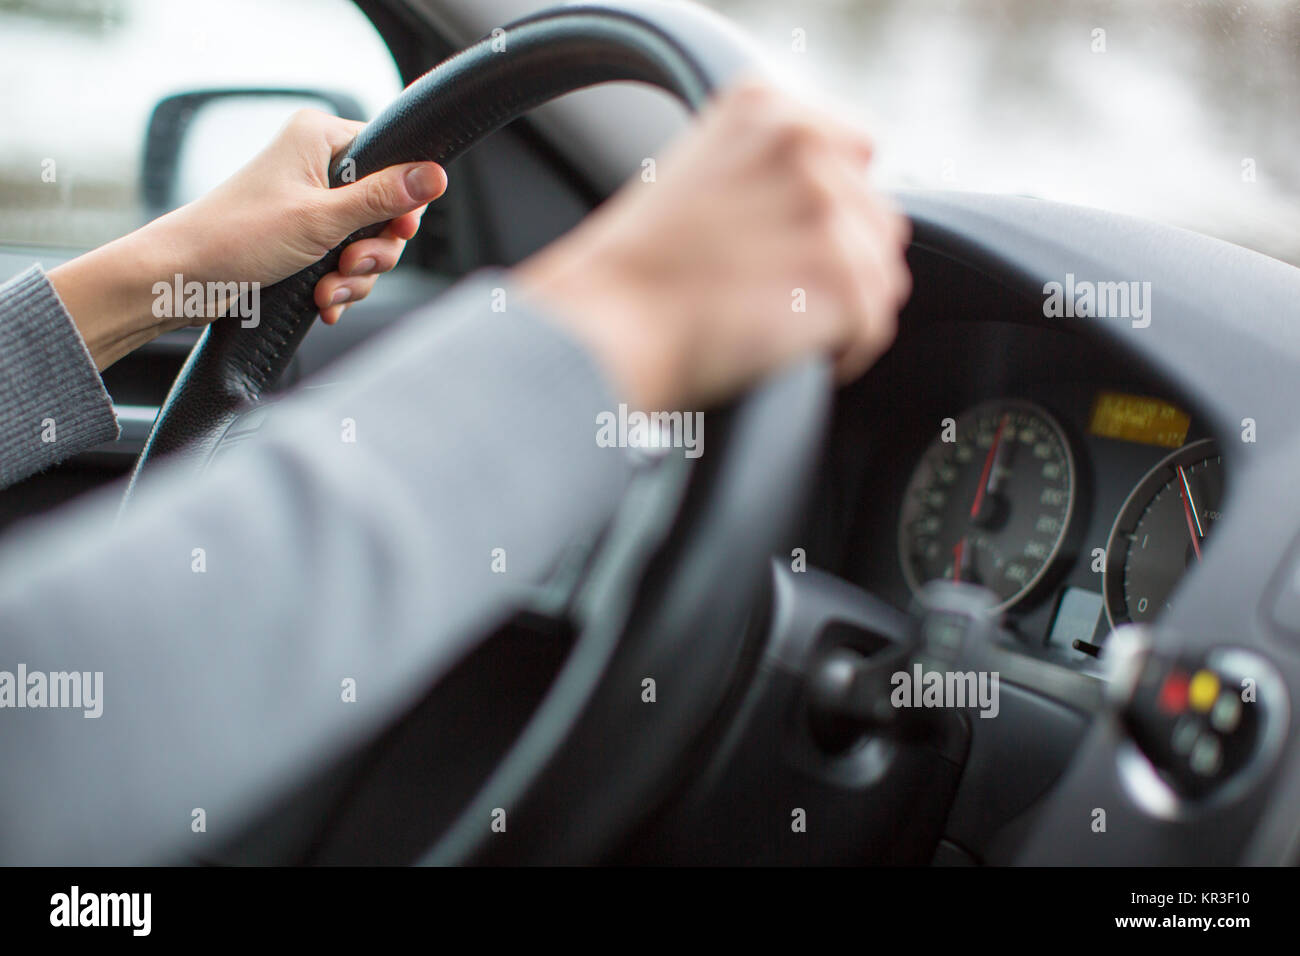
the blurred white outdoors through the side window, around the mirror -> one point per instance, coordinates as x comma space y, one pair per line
80, 79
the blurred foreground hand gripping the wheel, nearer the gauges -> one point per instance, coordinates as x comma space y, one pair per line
686, 289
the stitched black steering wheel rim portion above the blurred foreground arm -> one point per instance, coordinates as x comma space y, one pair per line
683, 50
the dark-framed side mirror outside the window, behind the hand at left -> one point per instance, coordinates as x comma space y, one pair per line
197, 140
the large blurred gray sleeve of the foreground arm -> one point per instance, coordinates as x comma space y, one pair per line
372, 537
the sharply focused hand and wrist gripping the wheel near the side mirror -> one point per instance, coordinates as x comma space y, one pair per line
270, 220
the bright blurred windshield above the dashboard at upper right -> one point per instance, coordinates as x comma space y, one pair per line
1180, 111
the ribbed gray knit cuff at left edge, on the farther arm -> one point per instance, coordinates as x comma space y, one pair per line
53, 401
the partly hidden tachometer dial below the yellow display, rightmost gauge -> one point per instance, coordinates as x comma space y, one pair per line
1162, 531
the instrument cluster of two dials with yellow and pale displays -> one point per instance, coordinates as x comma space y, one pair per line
999, 499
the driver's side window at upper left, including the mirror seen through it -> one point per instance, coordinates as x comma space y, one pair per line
114, 111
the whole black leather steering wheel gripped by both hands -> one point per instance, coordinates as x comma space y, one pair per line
671, 589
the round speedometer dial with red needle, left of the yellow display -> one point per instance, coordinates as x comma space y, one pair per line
990, 503
